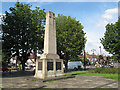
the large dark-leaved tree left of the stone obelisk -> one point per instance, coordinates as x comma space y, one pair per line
23, 30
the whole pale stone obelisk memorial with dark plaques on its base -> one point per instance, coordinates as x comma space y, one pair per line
49, 65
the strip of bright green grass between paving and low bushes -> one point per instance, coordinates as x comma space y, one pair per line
86, 73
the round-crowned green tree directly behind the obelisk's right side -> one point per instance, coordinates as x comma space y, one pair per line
70, 38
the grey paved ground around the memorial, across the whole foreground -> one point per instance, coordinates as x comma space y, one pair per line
28, 81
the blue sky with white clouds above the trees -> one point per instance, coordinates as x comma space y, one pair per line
92, 15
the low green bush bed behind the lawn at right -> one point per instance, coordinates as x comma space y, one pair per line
103, 70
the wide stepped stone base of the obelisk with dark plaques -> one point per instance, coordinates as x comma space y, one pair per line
49, 66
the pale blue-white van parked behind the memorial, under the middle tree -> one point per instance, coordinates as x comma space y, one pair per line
75, 65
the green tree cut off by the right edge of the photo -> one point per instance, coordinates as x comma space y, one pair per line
111, 39
